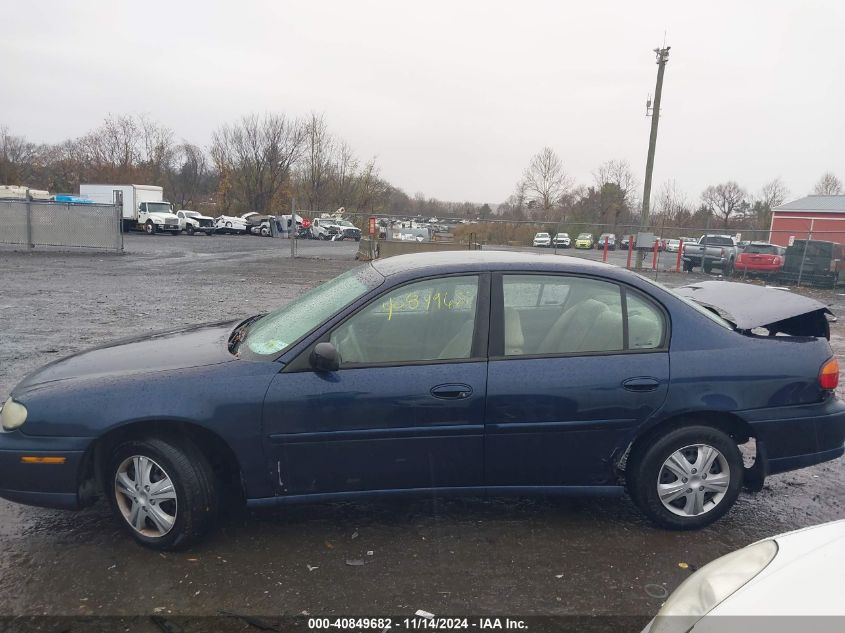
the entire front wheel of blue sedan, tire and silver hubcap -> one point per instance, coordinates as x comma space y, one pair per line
163, 492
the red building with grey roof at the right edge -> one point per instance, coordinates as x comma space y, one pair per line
820, 217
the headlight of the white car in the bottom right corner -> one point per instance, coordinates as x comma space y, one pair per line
712, 584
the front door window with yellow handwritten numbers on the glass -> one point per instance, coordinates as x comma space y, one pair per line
425, 321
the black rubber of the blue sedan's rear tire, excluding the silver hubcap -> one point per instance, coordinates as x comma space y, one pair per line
646, 463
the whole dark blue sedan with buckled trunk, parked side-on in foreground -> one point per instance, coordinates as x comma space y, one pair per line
453, 372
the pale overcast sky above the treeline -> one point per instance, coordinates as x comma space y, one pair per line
455, 97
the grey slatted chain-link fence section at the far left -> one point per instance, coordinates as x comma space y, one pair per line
61, 224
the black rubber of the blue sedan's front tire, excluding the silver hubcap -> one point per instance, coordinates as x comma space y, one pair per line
193, 481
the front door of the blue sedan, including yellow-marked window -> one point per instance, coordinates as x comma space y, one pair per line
406, 408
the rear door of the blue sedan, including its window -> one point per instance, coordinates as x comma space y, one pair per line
575, 363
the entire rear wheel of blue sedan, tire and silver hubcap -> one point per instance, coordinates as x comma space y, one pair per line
687, 478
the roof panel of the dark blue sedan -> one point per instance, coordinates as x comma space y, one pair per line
460, 261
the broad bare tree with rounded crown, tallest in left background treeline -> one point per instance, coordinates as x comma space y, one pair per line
254, 158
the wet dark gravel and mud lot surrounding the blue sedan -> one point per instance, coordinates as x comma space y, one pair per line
499, 556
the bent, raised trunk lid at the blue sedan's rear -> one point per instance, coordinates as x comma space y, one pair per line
748, 307
